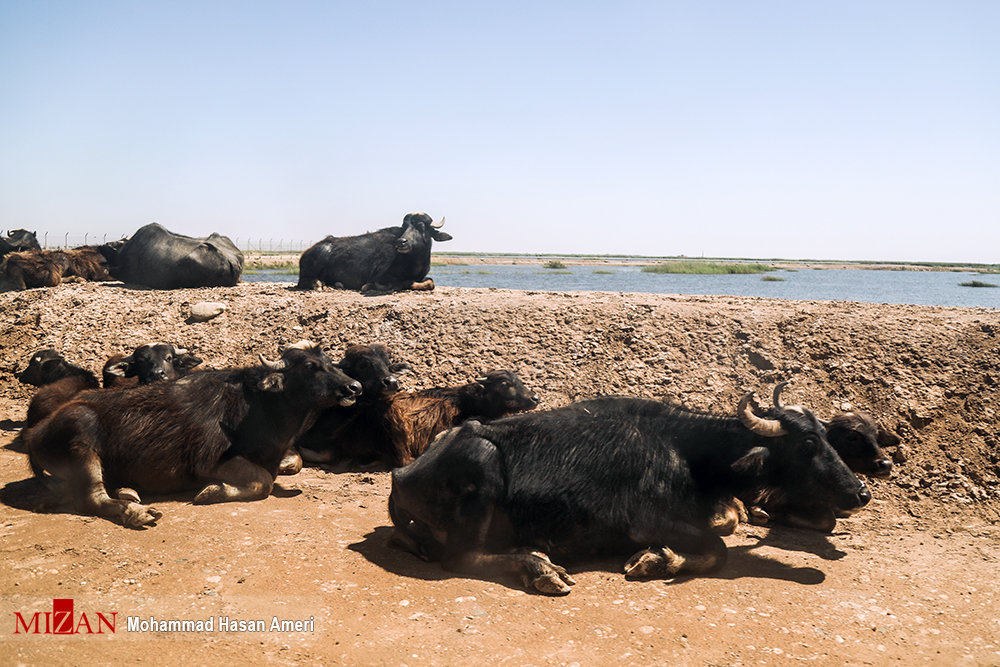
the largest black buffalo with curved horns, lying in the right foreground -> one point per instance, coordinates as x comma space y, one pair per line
614, 476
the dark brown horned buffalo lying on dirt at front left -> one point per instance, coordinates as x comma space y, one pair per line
223, 432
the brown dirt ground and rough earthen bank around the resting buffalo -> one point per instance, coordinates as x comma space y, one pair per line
910, 580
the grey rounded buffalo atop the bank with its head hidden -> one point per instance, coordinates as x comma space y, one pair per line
161, 259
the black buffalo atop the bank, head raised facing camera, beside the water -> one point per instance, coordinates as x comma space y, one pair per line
394, 258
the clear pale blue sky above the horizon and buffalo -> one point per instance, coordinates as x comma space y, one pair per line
832, 130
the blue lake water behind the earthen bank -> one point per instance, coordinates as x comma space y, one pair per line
930, 288
